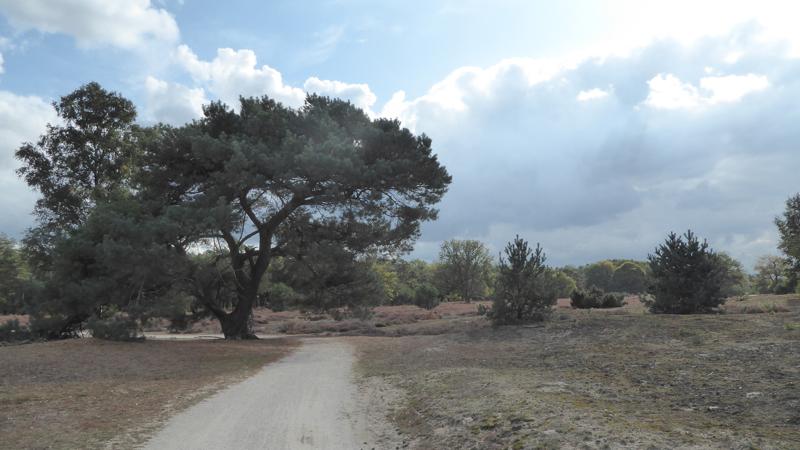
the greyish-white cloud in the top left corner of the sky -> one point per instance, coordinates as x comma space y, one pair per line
129, 24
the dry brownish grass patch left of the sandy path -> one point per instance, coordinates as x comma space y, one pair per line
86, 393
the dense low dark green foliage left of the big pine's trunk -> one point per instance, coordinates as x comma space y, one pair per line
113, 260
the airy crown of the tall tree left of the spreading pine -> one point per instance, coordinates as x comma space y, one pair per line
76, 163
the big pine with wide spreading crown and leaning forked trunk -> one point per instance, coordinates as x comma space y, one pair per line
266, 180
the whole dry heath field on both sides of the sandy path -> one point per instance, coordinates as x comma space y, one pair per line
586, 379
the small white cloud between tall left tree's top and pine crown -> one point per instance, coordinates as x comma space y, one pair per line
172, 103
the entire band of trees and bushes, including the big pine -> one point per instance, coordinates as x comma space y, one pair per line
278, 207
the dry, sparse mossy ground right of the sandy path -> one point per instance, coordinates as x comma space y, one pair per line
600, 379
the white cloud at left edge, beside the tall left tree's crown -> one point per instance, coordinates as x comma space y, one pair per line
21, 119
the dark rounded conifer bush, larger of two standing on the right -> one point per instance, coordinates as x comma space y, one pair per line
687, 276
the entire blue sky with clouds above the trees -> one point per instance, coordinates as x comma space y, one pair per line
592, 127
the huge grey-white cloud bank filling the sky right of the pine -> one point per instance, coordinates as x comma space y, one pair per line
533, 151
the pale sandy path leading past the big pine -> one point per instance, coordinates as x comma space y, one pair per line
306, 400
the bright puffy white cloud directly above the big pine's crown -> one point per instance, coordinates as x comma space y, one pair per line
235, 72
